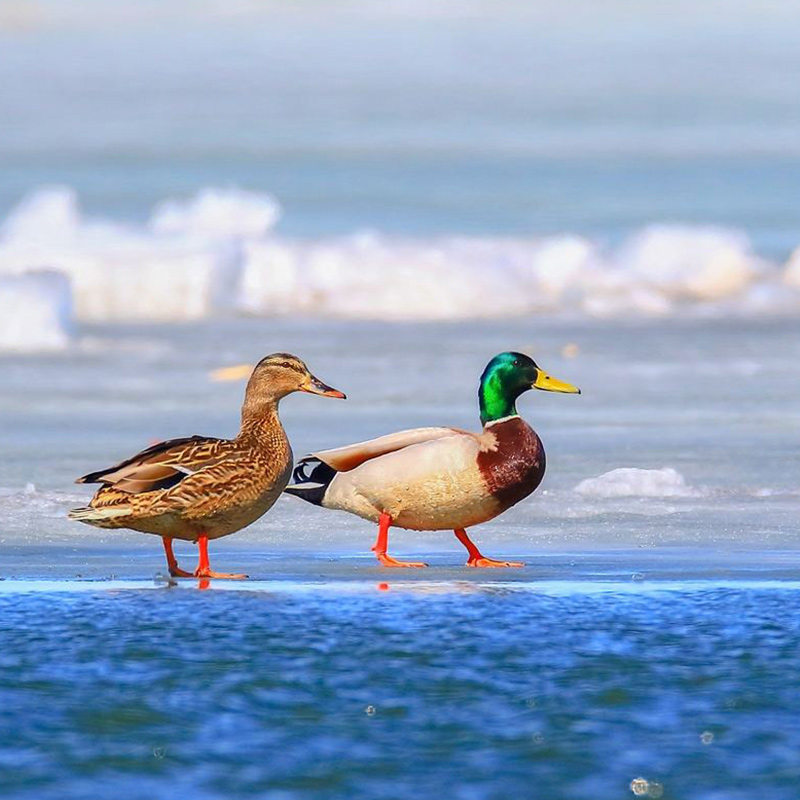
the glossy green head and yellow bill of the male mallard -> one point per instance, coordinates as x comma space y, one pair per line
506, 377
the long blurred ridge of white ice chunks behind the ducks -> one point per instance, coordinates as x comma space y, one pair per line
216, 252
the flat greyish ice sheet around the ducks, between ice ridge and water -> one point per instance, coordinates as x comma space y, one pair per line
714, 416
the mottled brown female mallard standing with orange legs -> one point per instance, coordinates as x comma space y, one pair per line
201, 488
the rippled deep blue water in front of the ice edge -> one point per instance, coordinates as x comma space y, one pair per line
430, 689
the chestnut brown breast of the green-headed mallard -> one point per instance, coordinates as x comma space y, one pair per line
515, 467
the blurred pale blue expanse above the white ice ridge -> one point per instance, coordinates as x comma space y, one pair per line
414, 118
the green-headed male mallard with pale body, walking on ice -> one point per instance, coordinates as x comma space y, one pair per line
439, 478
